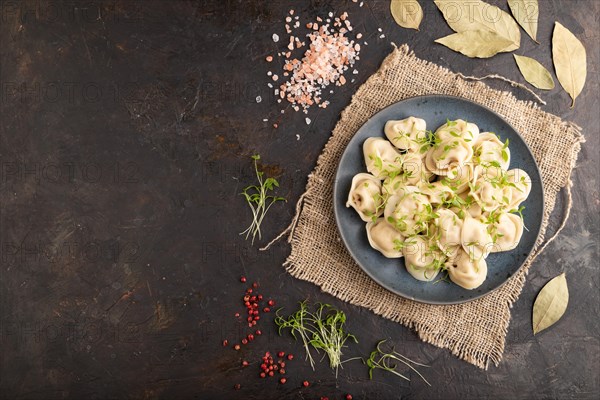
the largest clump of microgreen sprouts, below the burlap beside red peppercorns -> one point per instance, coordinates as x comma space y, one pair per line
321, 330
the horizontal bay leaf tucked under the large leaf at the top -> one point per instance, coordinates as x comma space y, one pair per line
480, 44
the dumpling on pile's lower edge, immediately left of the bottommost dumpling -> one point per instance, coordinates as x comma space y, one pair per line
423, 260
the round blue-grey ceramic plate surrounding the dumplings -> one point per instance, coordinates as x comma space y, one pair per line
391, 273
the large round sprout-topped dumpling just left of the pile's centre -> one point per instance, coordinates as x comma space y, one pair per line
408, 211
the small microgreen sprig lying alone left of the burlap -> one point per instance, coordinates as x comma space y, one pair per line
259, 200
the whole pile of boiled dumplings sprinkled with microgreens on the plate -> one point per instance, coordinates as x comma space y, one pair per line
444, 201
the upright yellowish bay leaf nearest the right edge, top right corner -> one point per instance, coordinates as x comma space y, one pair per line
570, 61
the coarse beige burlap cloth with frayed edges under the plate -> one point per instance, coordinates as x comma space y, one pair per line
474, 331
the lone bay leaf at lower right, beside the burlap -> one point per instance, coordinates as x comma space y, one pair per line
550, 304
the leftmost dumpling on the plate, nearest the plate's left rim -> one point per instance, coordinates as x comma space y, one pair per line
365, 196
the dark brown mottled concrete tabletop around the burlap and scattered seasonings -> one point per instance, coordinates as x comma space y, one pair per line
126, 130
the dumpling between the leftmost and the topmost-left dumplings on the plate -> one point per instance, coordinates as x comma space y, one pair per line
381, 157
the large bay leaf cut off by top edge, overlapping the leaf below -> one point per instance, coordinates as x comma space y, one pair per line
476, 15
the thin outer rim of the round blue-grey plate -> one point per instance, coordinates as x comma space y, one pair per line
336, 189
